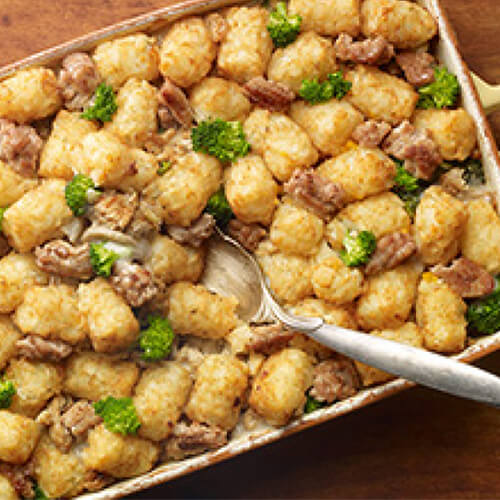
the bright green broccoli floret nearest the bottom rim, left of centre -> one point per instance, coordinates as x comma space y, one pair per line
119, 414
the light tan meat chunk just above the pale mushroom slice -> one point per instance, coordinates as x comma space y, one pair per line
115, 210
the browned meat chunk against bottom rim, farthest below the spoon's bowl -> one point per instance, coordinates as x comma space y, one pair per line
193, 439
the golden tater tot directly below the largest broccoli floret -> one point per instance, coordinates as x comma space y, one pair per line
183, 192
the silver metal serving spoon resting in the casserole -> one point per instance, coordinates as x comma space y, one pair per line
231, 270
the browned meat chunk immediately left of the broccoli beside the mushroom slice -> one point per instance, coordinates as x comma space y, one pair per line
62, 258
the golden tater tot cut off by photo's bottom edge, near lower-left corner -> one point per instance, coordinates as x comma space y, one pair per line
59, 475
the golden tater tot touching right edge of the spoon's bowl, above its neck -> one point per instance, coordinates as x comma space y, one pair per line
289, 275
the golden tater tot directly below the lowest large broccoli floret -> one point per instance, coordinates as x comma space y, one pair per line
117, 455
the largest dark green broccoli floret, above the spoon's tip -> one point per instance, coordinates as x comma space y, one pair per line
224, 140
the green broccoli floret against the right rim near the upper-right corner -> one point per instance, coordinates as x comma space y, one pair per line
442, 93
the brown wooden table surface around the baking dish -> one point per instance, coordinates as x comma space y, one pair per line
418, 444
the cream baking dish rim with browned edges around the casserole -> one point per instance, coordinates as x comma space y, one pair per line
448, 53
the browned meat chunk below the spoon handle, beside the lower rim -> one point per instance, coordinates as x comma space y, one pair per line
334, 379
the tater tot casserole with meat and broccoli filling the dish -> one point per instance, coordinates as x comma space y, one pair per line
321, 134
